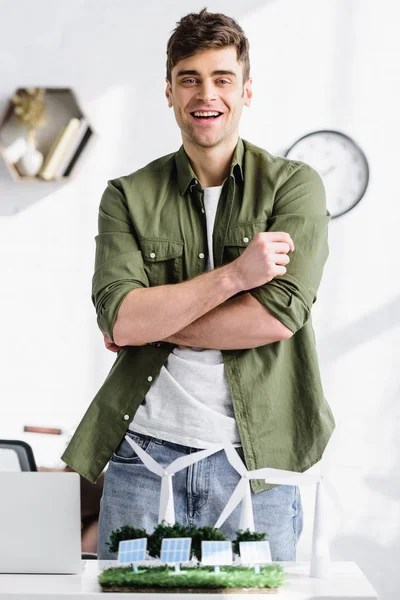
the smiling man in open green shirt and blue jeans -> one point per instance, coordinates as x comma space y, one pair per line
208, 261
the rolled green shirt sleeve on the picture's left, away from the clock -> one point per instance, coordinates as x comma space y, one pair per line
118, 262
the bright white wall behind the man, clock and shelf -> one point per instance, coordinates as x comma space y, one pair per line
315, 64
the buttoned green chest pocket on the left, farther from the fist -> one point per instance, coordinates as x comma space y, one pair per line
162, 260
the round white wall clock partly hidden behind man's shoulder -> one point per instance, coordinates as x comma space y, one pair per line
341, 164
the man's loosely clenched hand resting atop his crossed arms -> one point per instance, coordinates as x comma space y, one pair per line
264, 258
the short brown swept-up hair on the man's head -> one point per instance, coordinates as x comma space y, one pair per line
203, 30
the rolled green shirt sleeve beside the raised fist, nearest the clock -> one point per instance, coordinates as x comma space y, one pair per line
300, 210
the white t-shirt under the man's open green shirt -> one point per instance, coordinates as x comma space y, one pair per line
189, 402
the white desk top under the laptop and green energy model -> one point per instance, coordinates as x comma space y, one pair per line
347, 583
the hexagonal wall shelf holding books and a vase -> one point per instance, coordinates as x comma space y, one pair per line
58, 132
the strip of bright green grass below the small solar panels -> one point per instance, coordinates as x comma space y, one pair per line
271, 576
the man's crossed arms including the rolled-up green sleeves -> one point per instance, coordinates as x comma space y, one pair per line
206, 311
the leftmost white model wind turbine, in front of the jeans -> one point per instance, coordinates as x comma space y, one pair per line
166, 511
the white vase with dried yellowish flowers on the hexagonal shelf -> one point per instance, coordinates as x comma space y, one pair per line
30, 110
